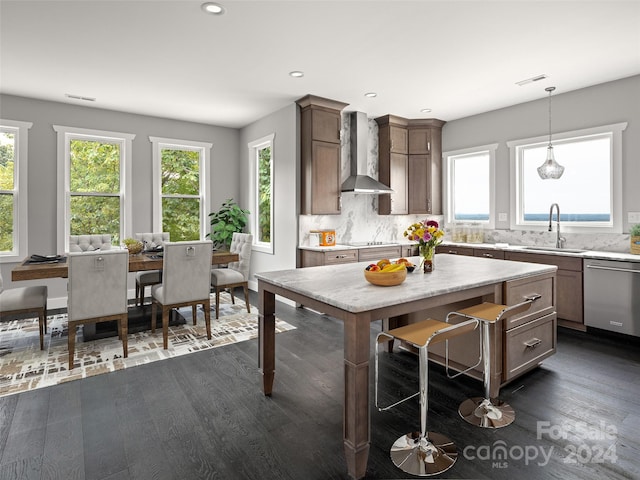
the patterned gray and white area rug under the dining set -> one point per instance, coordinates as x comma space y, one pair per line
23, 366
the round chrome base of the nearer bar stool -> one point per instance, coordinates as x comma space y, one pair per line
424, 456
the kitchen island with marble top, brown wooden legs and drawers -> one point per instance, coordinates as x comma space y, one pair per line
342, 292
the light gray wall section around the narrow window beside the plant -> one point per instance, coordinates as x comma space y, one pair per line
285, 177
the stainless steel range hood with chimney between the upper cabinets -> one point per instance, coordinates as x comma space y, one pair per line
359, 181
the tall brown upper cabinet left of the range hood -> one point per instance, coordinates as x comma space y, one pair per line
320, 167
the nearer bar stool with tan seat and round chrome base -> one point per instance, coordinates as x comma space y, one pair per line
422, 453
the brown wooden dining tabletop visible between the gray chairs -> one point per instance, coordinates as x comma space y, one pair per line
57, 267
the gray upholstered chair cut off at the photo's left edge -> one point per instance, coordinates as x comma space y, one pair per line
20, 300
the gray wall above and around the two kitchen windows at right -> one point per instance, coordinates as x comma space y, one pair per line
603, 104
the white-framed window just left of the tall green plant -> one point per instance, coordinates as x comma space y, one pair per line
181, 188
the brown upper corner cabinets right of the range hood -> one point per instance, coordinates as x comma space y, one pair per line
410, 162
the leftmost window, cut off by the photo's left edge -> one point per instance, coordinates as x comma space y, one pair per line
13, 189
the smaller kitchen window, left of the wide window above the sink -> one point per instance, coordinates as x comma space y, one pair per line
469, 179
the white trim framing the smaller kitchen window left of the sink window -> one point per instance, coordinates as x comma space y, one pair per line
447, 181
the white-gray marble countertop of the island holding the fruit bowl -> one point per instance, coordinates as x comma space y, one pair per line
344, 286
